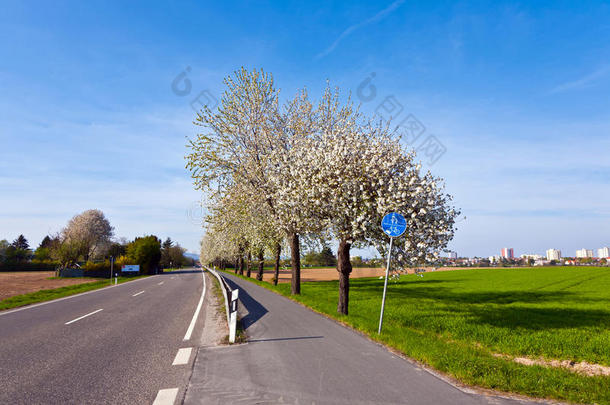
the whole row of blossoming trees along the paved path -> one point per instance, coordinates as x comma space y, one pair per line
275, 173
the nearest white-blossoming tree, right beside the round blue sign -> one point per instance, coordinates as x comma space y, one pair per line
357, 172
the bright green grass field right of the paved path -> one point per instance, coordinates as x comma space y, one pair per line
454, 321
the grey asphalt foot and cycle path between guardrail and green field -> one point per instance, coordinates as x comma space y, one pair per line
297, 356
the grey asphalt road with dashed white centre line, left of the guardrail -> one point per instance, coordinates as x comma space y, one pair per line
120, 352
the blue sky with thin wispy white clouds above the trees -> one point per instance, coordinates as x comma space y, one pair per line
517, 94
